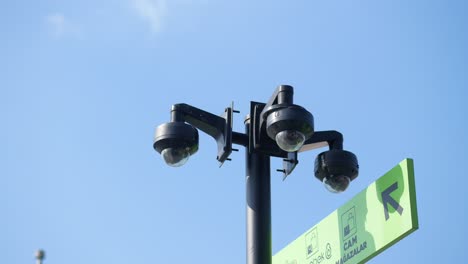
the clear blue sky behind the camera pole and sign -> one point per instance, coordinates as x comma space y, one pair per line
83, 84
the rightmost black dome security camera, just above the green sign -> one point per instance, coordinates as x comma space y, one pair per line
336, 169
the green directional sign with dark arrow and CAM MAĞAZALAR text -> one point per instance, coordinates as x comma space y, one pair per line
376, 218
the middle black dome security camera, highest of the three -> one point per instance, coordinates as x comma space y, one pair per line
290, 126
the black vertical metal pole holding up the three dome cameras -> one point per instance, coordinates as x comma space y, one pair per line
258, 206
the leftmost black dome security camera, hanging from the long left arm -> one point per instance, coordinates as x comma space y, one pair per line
176, 142
